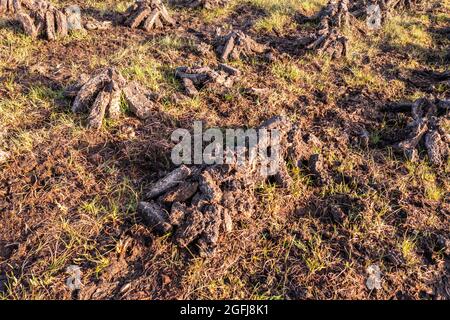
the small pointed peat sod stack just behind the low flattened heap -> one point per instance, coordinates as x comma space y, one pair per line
236, 45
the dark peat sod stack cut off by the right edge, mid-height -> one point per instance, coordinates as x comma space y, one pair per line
426, 129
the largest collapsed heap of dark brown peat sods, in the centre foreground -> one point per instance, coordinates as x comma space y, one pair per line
200, 203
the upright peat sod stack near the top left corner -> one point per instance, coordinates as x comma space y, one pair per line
42, 19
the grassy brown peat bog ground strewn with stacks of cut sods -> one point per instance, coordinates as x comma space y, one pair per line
353, 199
